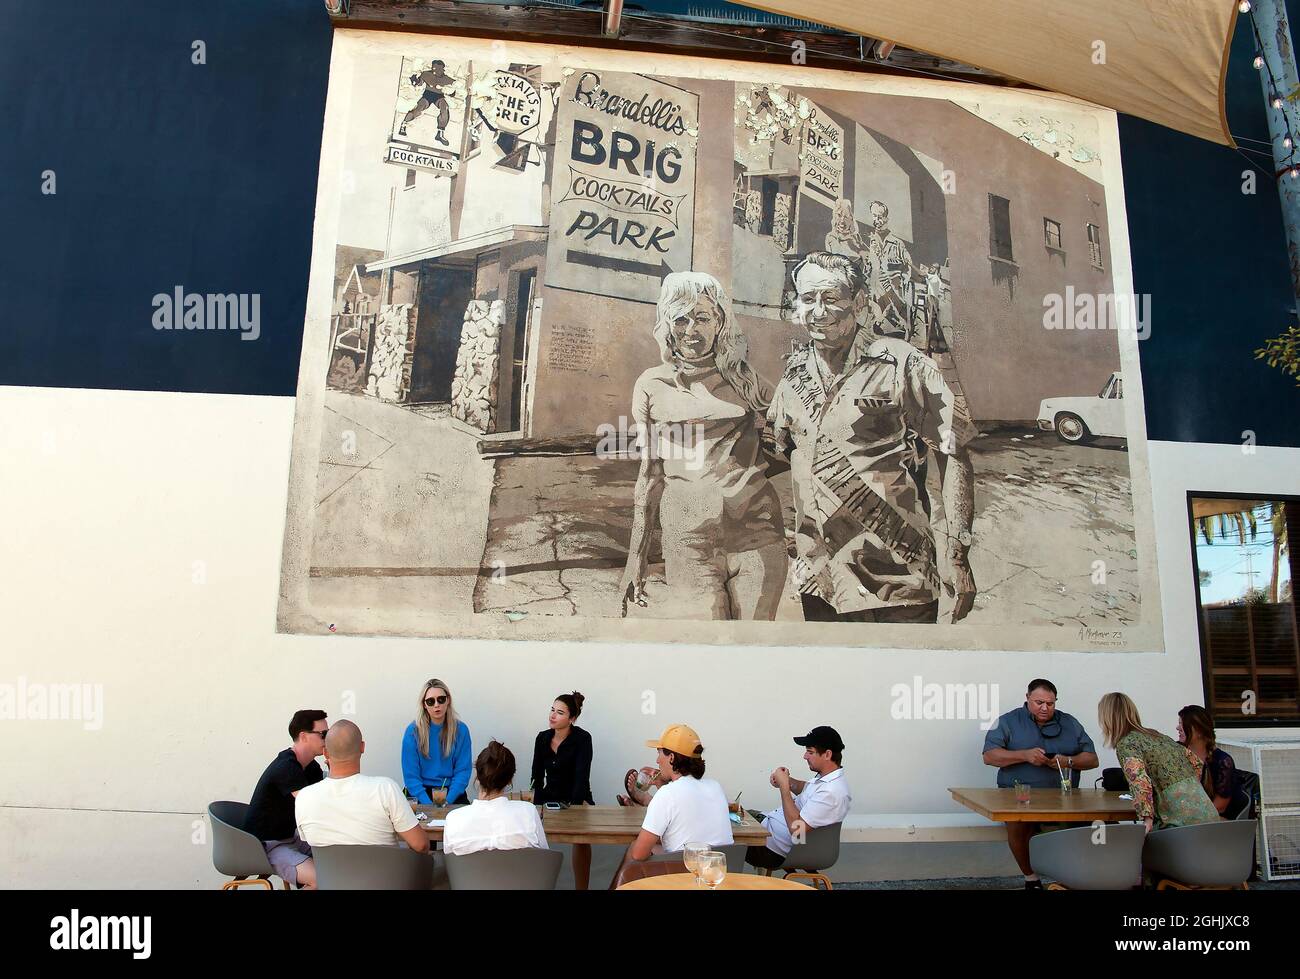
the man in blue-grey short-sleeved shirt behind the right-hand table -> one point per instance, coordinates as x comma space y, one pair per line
1037, 744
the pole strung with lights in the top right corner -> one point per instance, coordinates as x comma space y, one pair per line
1280, 81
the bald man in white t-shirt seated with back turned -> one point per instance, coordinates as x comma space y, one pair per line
350, 809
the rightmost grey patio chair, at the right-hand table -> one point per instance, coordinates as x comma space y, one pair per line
1207, 856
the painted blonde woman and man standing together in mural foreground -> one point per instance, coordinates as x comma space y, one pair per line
859, 417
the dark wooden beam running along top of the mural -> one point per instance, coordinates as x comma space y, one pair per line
662, 33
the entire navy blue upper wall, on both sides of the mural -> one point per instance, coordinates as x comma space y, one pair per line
205, 177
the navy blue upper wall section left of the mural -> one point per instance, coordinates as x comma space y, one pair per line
168, 175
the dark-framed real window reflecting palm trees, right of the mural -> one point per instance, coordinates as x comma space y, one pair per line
1246, 571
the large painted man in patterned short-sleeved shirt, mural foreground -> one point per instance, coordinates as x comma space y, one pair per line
864, 413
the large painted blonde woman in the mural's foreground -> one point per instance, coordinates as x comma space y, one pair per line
700, 415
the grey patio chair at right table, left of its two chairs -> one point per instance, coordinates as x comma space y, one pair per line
1076, 863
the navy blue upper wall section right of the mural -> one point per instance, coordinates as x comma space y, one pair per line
1215, 262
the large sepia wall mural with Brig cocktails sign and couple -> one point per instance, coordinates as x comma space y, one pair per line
609, 346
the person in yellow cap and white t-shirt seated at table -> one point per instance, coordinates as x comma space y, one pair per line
690, 808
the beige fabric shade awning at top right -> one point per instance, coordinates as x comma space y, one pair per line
1165, 60
